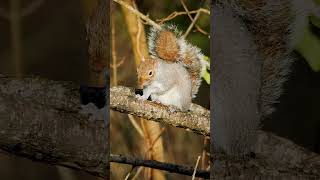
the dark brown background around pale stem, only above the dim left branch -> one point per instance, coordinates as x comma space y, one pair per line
53, 41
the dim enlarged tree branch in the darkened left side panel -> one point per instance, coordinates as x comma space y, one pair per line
40, 120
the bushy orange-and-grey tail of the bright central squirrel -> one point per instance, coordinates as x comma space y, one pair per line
168, 44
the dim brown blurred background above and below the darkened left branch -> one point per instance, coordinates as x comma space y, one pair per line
44, 38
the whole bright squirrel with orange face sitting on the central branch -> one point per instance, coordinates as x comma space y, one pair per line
172, 73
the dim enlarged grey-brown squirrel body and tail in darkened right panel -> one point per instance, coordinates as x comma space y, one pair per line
253, 49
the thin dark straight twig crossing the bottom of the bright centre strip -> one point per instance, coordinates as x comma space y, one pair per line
173, 168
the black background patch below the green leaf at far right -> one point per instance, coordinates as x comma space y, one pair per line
297, 116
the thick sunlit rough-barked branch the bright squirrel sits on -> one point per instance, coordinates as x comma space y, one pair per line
197, 120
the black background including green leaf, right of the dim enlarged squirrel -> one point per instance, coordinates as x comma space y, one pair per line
297, 114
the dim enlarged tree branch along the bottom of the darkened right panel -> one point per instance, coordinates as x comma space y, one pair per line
275, 158
